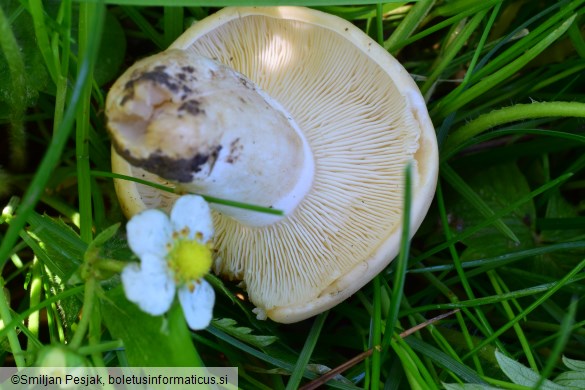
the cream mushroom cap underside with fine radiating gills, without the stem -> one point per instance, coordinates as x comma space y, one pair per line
364, 119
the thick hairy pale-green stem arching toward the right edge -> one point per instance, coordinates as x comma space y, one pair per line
511, 114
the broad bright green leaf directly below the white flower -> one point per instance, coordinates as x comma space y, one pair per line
149, 341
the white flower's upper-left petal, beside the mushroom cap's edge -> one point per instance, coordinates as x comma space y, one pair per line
149, 232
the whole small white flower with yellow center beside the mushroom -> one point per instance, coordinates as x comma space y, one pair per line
175, 255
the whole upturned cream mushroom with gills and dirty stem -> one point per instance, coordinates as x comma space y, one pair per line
283, 107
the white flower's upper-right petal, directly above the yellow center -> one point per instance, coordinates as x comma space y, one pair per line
193, 212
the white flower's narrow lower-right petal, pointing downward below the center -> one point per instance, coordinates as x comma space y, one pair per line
197, 304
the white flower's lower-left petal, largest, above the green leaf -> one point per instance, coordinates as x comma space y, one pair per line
151, 286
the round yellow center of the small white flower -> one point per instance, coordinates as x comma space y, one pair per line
190, 260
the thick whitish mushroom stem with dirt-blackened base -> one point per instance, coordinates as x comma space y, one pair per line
210, 130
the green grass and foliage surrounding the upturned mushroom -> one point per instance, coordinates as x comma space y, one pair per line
503, 244
